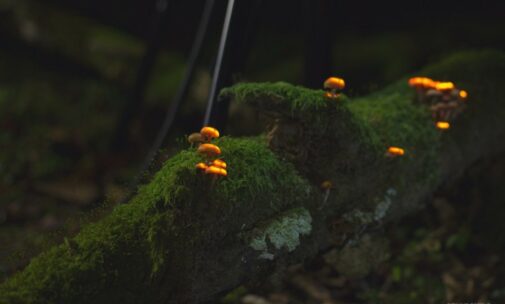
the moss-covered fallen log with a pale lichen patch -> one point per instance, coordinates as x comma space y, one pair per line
186, 238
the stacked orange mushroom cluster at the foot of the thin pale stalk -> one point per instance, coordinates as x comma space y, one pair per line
212, 164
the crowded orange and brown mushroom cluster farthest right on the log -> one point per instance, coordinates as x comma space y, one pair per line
445, 100
